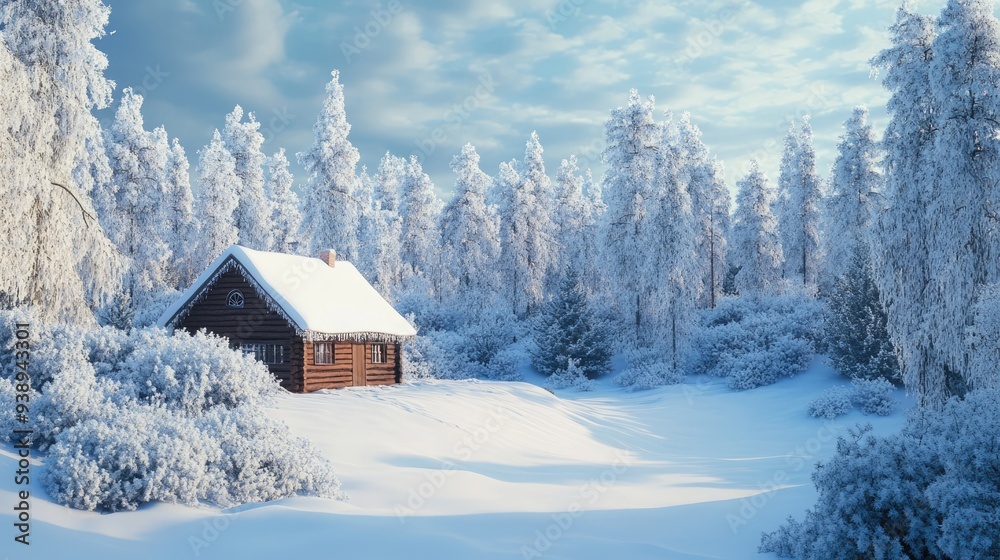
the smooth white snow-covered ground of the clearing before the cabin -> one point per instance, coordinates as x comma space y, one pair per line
464, 469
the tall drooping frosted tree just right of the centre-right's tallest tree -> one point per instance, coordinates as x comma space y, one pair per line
673, 266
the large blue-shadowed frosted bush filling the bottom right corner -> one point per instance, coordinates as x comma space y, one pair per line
928, 492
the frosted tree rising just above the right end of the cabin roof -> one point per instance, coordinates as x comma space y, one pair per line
420, 211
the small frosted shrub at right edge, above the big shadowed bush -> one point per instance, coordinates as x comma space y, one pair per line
982, 339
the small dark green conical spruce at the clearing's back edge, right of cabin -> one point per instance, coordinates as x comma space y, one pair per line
568, 332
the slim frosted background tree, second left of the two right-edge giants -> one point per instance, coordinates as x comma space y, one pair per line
800, 216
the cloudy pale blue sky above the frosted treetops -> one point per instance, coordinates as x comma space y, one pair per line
434, 75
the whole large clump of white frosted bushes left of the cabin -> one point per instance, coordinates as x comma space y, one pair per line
144, 416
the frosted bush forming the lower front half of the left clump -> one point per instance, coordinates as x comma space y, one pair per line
139, 454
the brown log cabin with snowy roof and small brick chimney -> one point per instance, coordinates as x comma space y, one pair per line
316, 322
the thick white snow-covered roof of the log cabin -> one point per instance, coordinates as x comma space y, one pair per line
320, 301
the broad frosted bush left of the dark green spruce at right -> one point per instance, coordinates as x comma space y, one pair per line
755, 341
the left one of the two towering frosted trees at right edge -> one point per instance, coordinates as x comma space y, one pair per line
900, 240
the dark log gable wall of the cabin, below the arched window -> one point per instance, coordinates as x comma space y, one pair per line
255, 322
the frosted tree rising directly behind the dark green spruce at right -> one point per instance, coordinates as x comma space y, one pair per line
855, 194
